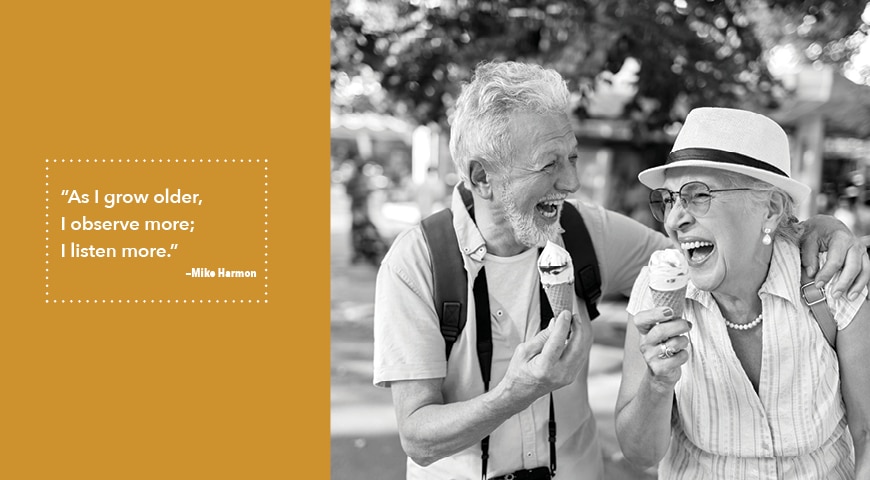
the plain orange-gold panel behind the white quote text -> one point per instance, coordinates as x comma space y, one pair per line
145, 391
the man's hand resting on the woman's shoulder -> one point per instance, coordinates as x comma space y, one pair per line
846, 253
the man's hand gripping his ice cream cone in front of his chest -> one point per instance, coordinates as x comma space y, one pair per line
550, 360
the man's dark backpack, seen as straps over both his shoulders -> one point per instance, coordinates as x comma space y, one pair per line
451, 283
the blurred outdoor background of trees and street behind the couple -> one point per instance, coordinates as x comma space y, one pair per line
635, 69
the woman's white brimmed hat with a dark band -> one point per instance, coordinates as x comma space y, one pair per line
733, 140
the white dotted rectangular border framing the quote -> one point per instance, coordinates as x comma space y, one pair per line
200, 161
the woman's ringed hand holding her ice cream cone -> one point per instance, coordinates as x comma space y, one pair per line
663, 345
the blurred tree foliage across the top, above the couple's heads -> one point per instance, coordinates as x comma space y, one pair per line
410, 56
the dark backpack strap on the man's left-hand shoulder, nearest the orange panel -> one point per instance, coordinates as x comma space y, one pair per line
450, 281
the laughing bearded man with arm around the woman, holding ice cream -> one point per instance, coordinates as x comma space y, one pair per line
515, 150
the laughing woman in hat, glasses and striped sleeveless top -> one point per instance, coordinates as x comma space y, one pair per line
745, 385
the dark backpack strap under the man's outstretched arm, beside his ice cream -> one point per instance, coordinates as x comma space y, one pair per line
578, 242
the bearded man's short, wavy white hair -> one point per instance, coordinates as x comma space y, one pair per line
480, 126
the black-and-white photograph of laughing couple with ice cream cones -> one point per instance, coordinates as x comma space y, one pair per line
617, 240
